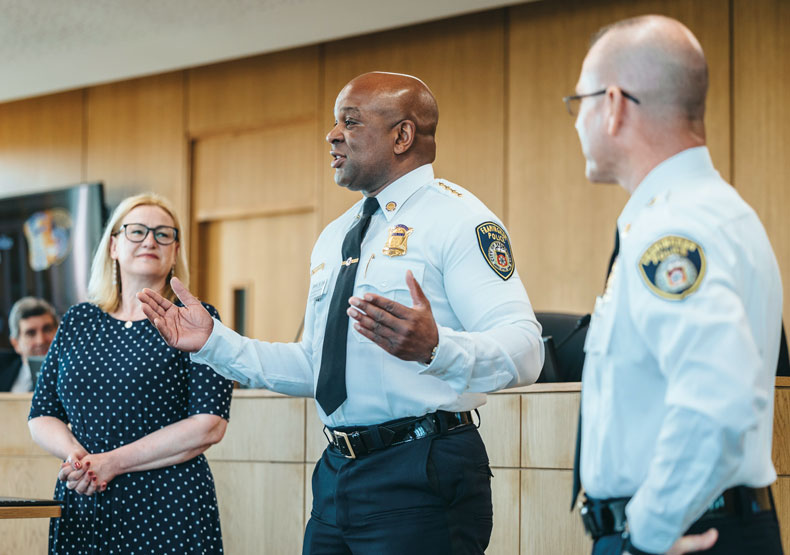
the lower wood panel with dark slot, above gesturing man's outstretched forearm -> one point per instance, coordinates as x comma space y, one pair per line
273, 254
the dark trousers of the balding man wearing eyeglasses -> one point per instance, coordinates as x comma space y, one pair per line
756, 534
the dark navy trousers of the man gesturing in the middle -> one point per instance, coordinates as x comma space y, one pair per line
431, 496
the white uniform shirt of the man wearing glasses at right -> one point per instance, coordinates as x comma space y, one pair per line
677, 401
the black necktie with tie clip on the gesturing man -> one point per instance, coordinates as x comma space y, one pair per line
331, 389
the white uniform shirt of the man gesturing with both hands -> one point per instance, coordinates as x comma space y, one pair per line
489, 338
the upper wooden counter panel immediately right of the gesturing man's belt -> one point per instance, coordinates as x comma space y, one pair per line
500, 428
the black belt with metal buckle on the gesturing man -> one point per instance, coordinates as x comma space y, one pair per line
356, 442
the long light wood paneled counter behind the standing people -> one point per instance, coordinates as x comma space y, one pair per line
263, 467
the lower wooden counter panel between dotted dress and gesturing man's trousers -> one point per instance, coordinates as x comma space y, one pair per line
249, 525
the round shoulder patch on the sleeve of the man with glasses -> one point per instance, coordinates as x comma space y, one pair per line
673, 267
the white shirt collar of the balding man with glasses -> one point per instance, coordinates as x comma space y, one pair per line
692, 161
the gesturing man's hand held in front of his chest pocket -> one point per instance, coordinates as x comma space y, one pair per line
407, 333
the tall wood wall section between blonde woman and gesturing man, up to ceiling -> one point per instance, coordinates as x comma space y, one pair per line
254, 130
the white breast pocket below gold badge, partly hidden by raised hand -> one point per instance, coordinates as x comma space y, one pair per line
387, 278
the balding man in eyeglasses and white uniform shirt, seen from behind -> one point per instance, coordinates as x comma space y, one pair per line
678, 383
